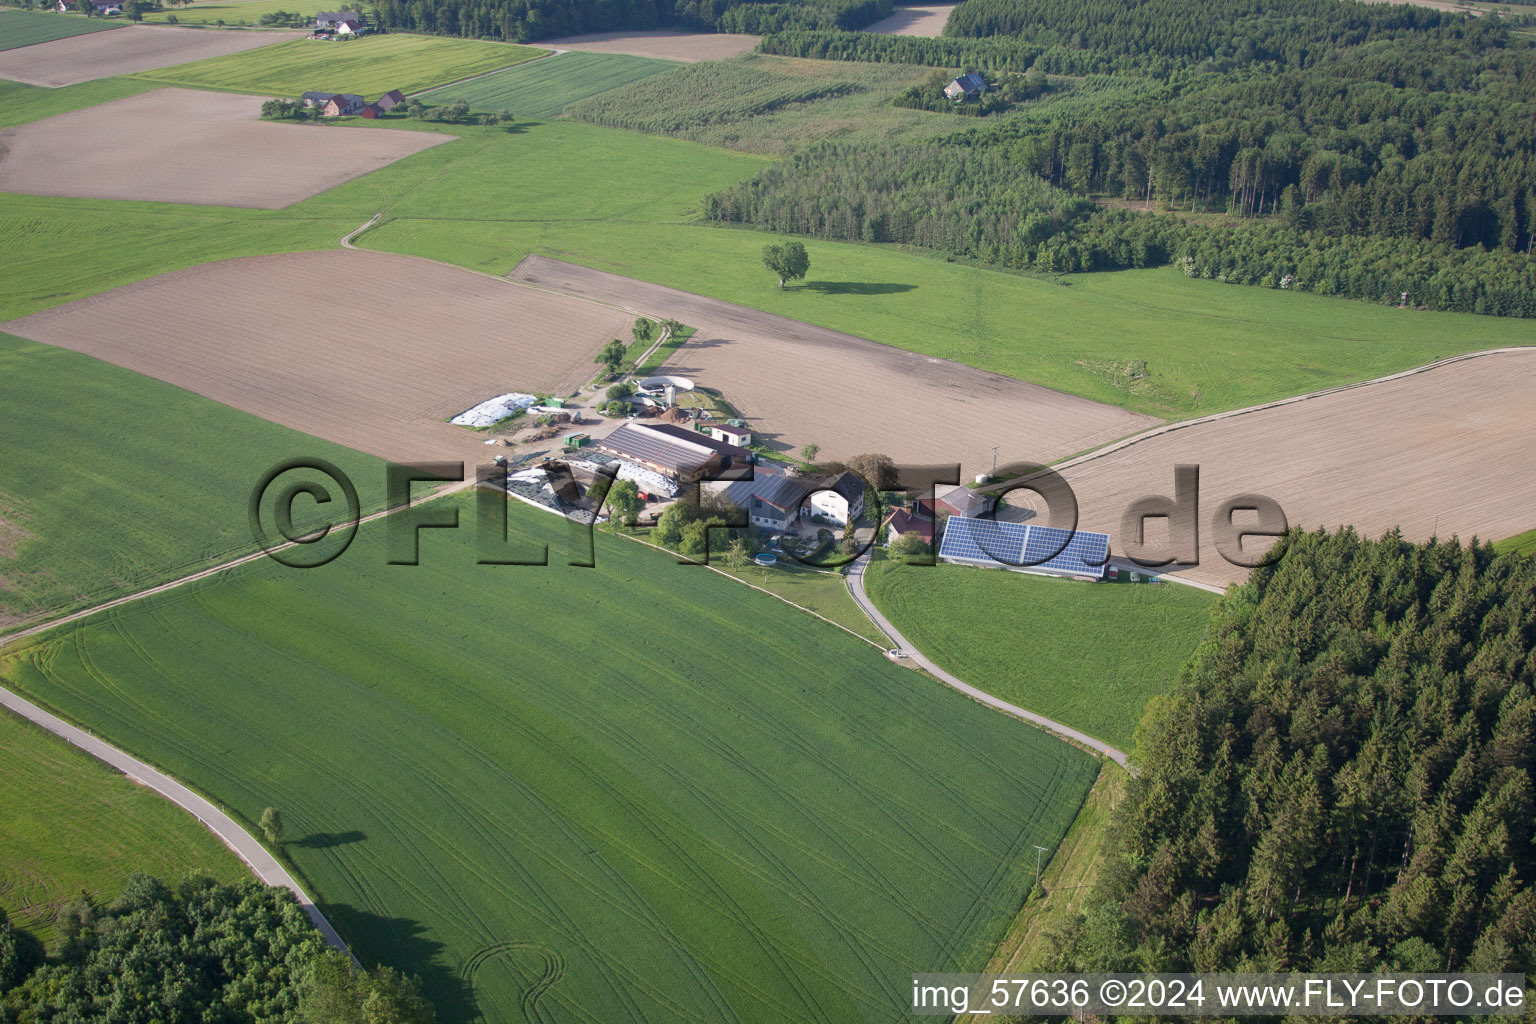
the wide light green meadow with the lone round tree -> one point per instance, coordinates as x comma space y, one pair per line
1208, 346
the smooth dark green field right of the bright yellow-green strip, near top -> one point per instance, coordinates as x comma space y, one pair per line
546, 88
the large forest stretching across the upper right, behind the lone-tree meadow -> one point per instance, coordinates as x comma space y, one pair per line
1366, 151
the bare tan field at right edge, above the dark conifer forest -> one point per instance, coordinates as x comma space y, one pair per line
1449, 451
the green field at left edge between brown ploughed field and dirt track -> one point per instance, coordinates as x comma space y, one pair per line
116, 481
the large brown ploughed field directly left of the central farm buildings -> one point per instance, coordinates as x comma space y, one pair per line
369, 351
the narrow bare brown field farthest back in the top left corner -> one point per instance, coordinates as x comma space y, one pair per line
79, 59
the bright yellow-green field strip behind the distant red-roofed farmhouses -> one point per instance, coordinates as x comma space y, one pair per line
366, 67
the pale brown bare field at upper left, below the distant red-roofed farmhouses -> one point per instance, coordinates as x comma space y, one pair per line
191, 147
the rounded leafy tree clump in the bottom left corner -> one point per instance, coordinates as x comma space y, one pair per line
199, 953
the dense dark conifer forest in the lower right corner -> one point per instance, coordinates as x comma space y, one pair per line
1342, 782
